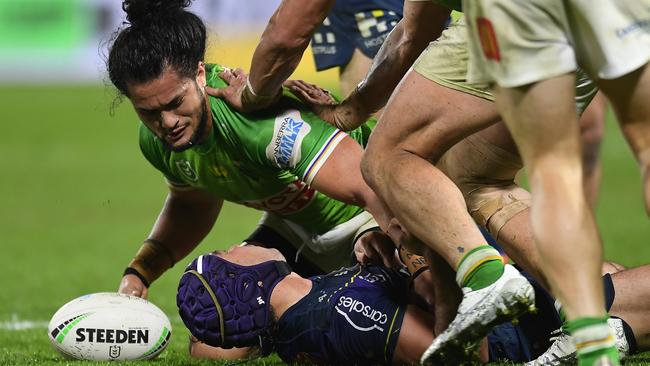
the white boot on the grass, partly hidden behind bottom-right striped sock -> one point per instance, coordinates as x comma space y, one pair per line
563, 349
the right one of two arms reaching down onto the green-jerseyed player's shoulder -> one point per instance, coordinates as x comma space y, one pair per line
422, 23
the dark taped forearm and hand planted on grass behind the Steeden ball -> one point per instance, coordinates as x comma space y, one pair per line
185, 219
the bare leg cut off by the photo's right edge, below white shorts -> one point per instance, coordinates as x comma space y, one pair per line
629, 96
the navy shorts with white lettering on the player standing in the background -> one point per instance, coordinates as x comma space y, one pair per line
352, 24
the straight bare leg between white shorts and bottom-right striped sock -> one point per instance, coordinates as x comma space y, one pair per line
542, 120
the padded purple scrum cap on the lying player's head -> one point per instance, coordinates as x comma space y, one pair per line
225, 304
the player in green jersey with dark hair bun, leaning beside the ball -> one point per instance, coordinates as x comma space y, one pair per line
301, 171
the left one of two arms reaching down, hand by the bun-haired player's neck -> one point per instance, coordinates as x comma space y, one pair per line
281, 46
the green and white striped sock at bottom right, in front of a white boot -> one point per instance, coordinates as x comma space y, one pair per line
594, 340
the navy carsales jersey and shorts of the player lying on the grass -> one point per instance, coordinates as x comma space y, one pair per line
354, 316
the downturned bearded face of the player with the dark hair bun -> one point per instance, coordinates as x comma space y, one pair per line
174, 108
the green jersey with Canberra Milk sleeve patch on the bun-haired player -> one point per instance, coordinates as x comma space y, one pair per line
264, 160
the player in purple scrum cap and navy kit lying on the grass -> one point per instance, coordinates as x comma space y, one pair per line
248, 298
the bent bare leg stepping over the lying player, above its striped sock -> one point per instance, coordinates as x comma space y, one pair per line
398, 163
